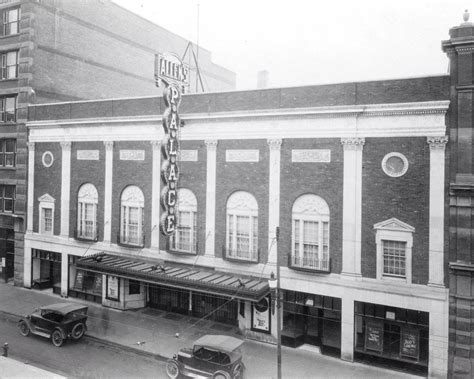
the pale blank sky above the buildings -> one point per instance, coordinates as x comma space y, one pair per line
304, 42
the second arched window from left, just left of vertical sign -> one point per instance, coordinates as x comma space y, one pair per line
131, 229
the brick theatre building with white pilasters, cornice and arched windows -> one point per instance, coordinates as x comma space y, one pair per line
353, 175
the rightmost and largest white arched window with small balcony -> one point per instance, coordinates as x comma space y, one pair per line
310, 225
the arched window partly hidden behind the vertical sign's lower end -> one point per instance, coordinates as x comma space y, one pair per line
185, 237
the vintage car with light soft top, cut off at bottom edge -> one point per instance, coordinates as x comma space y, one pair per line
213, 356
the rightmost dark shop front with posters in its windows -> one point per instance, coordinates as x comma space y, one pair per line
390, 336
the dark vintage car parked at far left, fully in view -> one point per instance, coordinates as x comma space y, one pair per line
57, 321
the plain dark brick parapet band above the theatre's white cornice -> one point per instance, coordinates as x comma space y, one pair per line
432, 88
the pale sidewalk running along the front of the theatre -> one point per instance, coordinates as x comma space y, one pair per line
162, 334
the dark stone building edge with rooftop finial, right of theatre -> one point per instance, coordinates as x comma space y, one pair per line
460, 49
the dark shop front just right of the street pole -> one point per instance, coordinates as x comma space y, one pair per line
312, 319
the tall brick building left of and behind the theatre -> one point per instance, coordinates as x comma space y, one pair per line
60, 50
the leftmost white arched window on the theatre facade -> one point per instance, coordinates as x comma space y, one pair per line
87, 199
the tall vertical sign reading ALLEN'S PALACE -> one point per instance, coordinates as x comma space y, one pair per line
173, 73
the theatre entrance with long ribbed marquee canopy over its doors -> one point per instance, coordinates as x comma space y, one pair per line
125, 283
